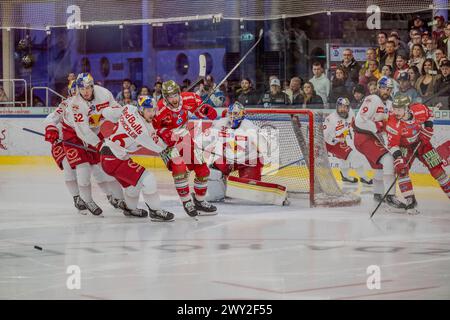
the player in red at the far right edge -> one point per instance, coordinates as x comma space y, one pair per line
409, 127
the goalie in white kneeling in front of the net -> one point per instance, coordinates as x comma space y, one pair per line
239, 146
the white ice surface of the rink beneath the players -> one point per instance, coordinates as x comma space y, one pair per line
247, 251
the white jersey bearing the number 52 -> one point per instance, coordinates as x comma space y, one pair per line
86, 117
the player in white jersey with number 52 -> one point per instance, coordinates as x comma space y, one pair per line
82, 118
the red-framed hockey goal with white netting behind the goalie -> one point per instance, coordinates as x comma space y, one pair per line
303, 166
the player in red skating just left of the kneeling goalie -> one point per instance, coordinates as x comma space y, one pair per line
182, 155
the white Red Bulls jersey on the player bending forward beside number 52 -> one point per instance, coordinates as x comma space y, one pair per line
131, 133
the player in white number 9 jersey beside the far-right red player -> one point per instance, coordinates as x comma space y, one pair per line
370, 140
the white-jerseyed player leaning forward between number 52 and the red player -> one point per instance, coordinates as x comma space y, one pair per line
133, 131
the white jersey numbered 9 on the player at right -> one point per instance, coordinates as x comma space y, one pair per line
372, 110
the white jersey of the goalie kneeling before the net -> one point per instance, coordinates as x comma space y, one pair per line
244, 144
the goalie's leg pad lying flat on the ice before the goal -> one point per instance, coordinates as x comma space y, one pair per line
252, 190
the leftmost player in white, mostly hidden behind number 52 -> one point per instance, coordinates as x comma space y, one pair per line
53, 132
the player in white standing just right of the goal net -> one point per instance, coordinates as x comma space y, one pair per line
336, 129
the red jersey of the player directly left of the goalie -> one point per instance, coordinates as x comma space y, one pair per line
177, 120
